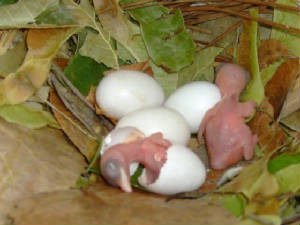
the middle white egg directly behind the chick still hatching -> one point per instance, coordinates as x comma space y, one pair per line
158, 119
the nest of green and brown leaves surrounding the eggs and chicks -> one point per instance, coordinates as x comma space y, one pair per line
53, 54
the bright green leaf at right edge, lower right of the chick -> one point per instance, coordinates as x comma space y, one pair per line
282, 161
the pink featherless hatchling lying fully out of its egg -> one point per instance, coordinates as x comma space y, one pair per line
228, 138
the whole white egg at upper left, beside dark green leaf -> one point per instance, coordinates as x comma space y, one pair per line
124, 91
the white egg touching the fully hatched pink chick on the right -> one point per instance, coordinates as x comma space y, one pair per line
193, 100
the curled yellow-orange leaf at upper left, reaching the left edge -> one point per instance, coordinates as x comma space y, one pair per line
43, 45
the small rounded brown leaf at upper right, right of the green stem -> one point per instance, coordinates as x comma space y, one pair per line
270, 51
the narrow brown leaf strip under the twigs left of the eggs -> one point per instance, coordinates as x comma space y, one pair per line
87, 145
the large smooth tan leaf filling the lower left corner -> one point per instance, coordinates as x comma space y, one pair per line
34, 161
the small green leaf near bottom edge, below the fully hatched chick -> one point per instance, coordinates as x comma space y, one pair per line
234, 204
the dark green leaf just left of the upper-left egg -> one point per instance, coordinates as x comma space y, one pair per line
84, 72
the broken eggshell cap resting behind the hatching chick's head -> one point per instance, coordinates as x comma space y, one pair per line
122, 135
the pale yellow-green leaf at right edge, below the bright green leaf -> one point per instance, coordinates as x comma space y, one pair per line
288, 178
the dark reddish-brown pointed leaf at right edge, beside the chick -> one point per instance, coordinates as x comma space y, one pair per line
277, 88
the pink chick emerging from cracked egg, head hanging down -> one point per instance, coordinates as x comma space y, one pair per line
150, 152
